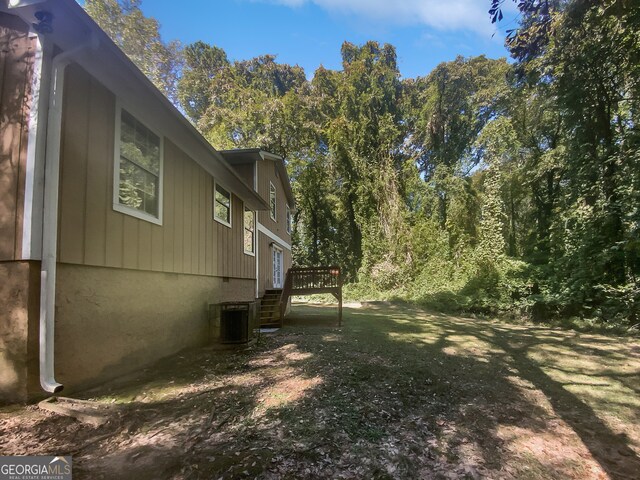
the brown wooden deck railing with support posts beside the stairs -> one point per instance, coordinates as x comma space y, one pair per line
310, 280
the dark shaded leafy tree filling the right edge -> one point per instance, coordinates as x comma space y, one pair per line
583, 57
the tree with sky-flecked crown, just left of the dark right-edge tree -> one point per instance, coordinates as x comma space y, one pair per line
452, 105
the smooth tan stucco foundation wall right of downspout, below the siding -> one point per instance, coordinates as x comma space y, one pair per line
111, 321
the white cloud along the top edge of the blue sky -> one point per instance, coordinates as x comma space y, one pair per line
451, 15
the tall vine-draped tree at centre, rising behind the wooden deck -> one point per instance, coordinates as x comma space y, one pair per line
363, 129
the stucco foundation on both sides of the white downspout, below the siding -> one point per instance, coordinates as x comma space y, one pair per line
109, 322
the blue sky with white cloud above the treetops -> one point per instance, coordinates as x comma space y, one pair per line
310, 32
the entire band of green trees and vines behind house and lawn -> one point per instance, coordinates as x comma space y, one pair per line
484, 186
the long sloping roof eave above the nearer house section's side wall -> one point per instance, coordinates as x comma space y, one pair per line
104, 60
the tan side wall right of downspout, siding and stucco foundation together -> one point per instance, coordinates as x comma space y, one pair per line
128, 291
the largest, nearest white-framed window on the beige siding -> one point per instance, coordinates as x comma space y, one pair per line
138, 172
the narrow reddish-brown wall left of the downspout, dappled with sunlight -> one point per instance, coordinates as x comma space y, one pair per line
19, 280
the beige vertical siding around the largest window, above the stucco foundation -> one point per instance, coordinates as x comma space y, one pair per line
91, 233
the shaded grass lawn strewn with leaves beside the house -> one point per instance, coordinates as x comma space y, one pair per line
395, 393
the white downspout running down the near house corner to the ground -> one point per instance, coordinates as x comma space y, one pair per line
50, 219
